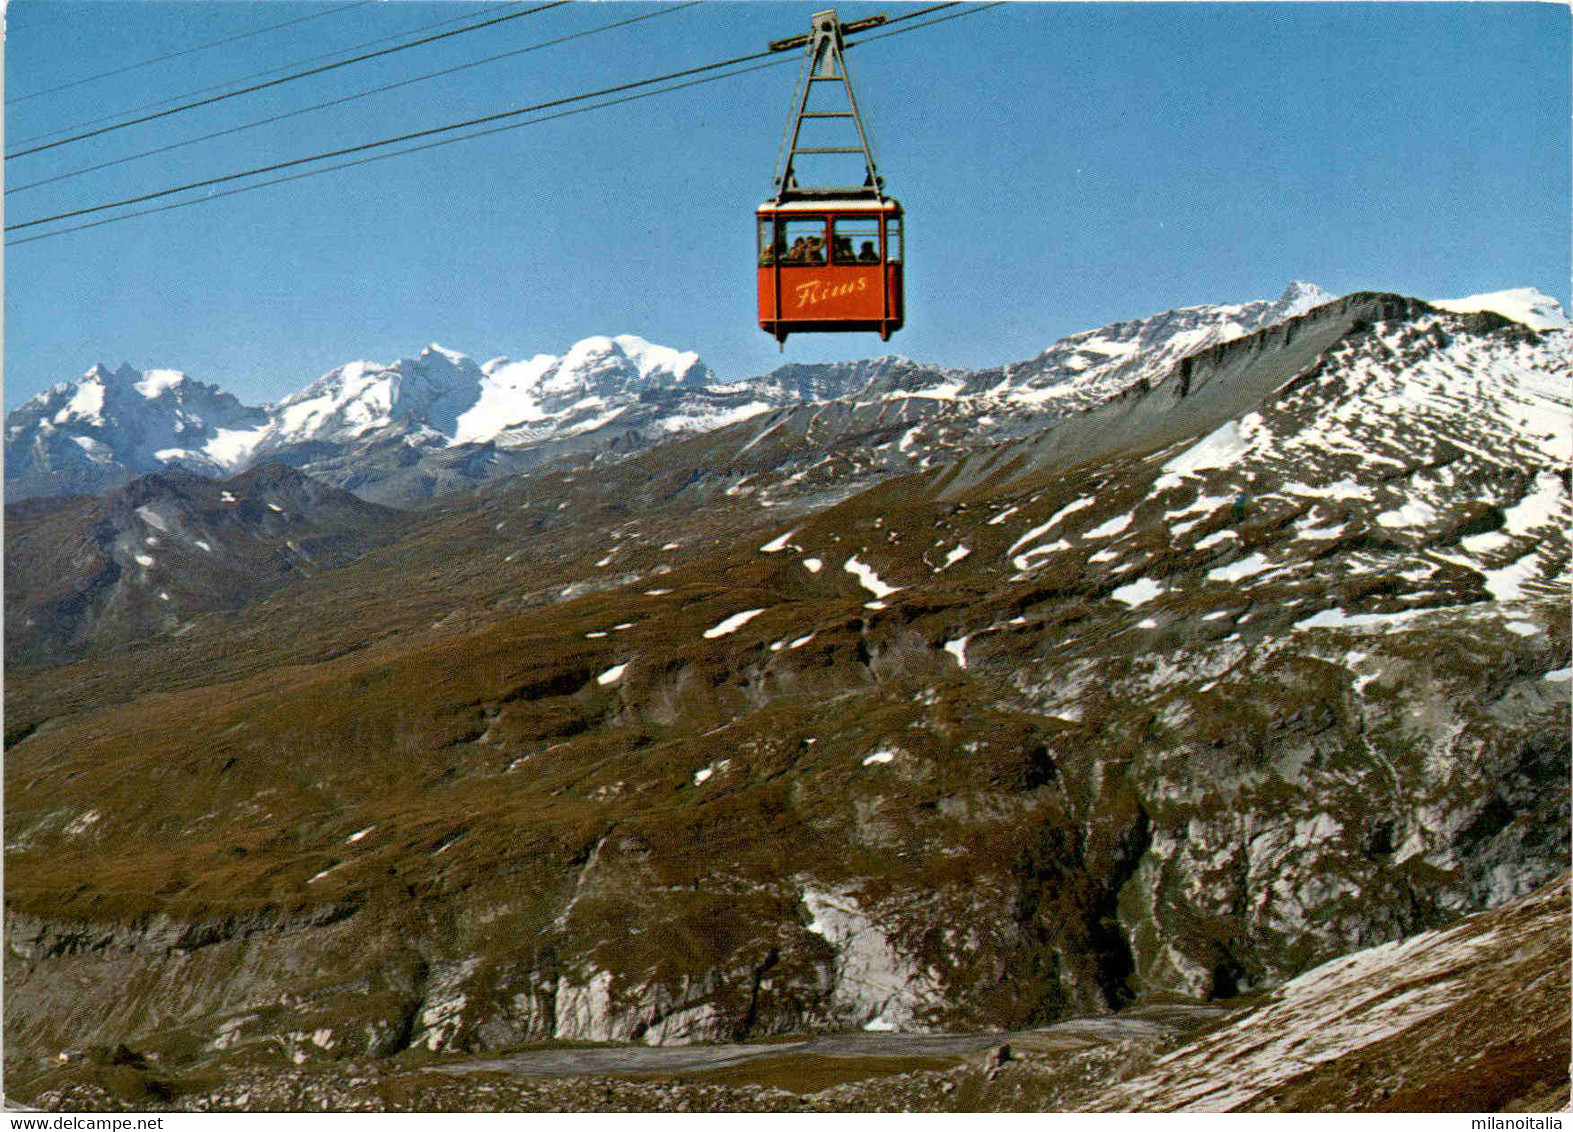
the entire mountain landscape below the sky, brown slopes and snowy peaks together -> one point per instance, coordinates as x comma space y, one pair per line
1136, 682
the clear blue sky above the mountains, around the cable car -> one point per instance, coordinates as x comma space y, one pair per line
1063, 167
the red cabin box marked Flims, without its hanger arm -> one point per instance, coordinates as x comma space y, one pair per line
830, 263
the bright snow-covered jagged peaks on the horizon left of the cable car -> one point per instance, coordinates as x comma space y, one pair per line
141, 422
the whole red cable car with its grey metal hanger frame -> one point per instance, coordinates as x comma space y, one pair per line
830, 257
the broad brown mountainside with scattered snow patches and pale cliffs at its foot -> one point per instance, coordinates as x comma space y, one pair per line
748, 735
